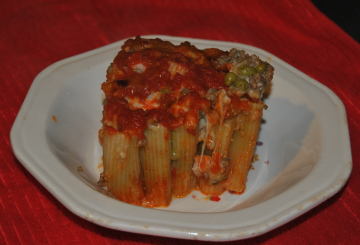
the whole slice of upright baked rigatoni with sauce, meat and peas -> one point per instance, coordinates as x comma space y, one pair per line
177, 118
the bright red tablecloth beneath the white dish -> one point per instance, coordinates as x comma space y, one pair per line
34, 34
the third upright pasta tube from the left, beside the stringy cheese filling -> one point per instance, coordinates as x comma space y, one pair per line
183, 151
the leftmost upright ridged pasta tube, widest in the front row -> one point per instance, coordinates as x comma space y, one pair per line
122, 169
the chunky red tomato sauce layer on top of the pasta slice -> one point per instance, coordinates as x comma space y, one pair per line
155, 81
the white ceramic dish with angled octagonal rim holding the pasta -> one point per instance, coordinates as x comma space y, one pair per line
305, 157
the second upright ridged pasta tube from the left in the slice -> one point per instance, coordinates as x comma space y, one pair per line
157, 166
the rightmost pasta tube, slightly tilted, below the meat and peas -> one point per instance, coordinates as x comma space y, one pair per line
242, 148
